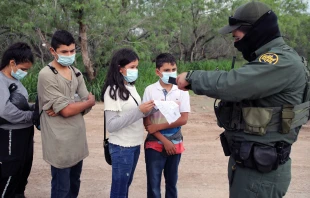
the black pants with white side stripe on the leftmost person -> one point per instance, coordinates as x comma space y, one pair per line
16, 155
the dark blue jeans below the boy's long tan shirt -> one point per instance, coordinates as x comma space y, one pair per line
66, 182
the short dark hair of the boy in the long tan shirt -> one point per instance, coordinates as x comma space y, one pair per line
62, 37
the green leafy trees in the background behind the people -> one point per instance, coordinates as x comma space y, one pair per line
187, 28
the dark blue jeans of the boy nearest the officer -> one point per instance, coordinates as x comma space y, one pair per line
156, 162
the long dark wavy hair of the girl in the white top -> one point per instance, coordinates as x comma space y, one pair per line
114, 78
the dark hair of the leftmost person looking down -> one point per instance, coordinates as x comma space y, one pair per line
19, 52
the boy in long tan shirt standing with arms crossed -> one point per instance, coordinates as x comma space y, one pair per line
62, 124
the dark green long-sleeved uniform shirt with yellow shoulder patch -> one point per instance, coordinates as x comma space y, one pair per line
275, 78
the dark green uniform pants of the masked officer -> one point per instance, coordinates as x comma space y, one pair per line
250, 183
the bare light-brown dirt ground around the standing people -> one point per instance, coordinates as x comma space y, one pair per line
203, 167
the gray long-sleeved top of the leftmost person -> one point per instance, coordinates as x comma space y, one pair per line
18, 119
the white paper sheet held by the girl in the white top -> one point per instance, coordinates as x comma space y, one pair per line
169, 109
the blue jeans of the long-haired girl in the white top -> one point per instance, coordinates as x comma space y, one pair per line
124, 162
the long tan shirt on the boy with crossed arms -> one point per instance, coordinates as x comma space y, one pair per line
64, 141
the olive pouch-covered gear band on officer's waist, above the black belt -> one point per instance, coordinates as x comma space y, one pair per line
271, 119
